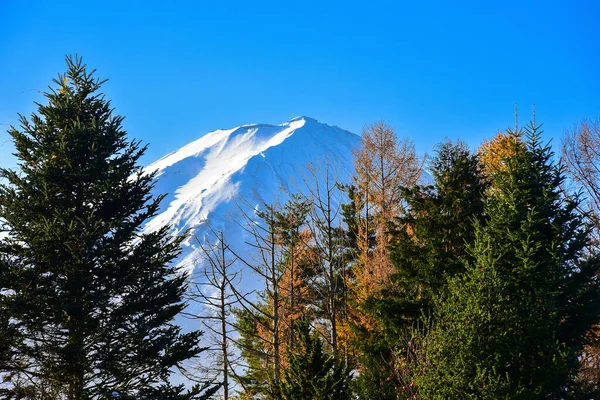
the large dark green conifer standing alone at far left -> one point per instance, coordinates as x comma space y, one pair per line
93, 297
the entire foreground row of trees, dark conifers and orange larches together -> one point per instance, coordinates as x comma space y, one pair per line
466, 275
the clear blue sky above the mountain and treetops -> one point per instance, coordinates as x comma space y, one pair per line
432, 69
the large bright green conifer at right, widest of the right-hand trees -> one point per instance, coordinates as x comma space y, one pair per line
513, 325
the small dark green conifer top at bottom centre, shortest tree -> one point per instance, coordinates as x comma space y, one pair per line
311, 374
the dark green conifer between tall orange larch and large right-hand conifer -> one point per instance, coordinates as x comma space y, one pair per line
432, 239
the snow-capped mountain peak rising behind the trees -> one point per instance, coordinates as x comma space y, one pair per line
208, 180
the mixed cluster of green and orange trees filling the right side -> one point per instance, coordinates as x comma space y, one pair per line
480, 282
